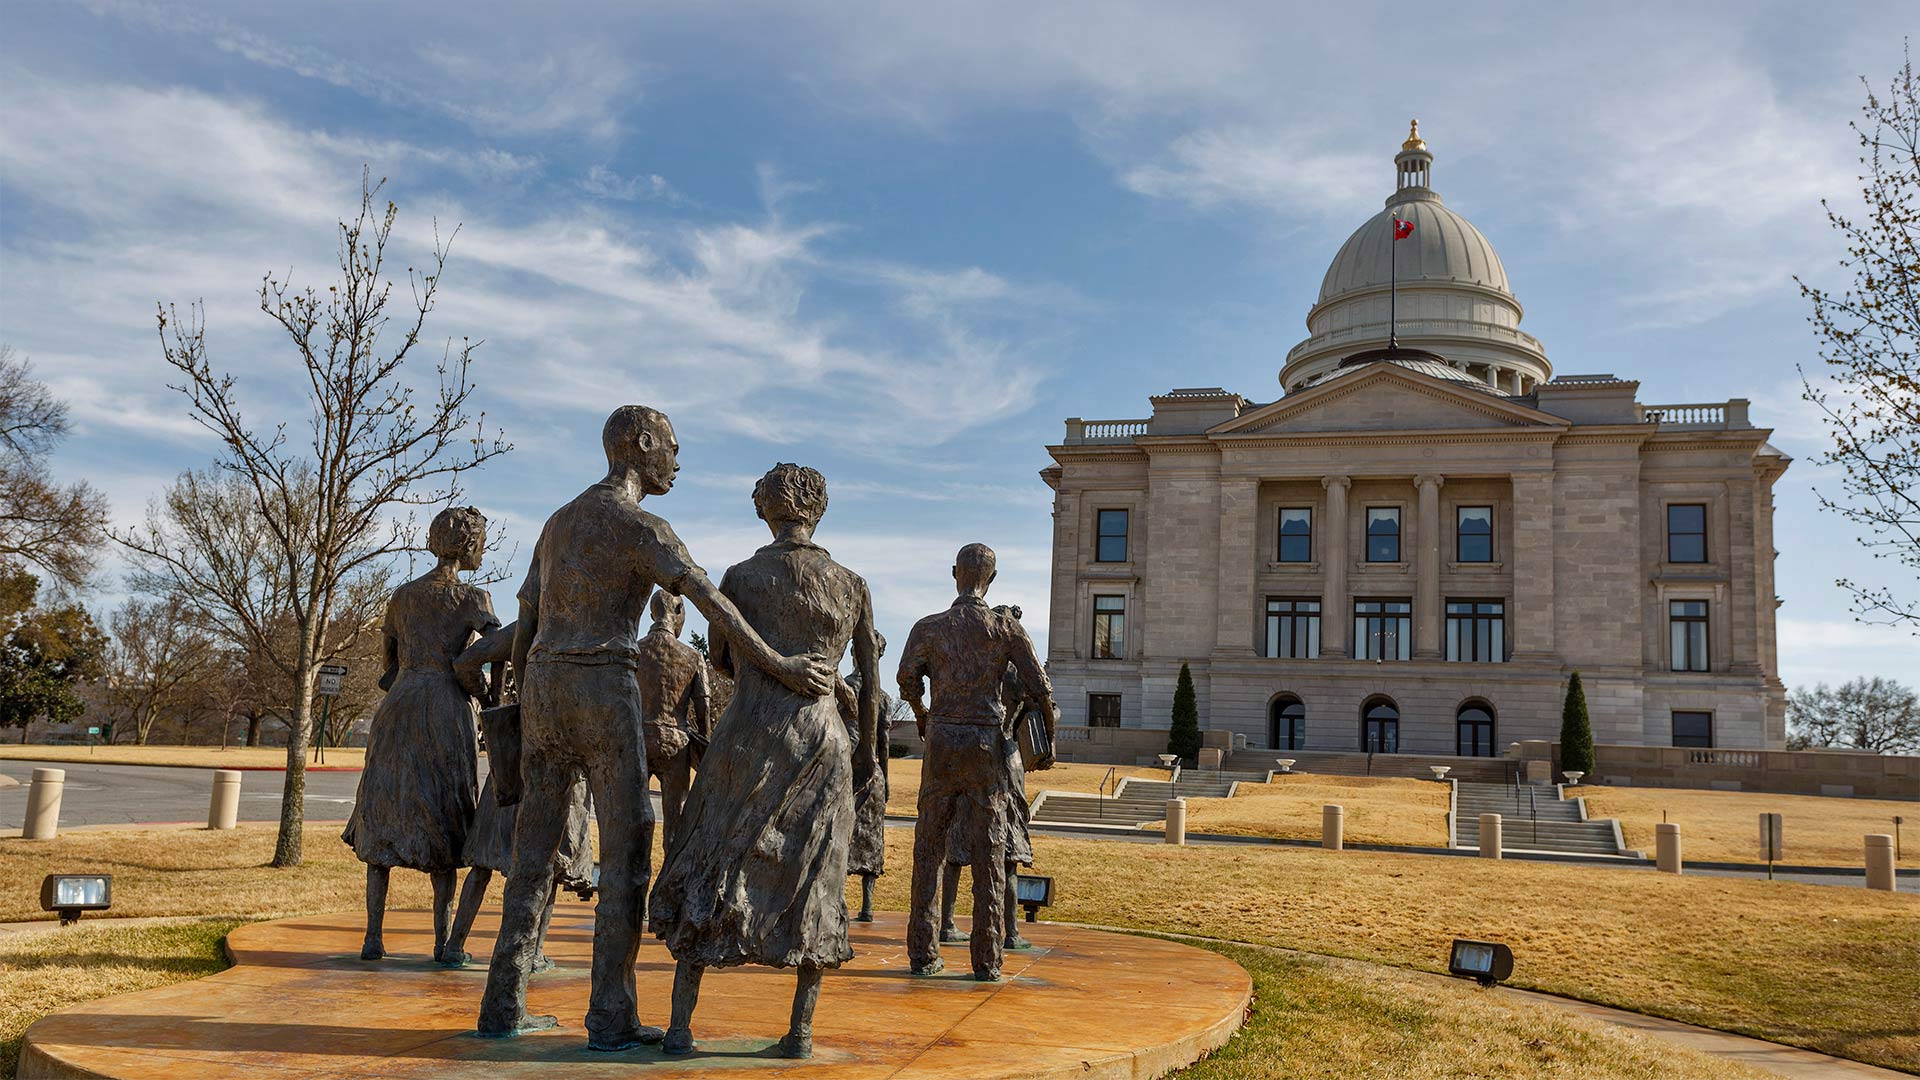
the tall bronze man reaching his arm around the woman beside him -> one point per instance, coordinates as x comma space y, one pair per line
594, 568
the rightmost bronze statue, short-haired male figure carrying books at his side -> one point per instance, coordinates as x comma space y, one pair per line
965, 814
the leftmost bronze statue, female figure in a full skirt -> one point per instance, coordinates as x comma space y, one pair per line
421, 781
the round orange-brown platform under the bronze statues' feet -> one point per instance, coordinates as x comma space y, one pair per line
300, 1004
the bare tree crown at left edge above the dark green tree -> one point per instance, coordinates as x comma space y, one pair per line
55, 528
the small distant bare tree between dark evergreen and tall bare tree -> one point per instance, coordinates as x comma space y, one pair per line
156, 662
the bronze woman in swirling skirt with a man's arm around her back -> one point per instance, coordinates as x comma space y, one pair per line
759, 868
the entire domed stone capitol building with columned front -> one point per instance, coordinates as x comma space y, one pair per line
1412, 549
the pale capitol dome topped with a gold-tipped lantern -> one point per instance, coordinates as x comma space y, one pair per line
1452, 295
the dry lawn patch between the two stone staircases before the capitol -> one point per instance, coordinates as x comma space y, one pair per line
1378, 810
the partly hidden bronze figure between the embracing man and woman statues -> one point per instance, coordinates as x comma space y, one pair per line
673, 689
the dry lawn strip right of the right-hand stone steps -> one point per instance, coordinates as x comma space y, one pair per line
1727, 825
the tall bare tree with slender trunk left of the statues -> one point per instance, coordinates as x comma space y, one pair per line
304, 537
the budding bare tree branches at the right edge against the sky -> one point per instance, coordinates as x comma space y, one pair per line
1869, 341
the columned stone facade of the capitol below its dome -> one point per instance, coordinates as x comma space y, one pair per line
1577, 476
